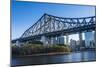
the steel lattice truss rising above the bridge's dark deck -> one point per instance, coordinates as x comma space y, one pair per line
49, 23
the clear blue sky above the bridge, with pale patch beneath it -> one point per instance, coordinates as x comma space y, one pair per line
25, 14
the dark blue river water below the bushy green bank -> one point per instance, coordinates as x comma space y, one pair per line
51, 59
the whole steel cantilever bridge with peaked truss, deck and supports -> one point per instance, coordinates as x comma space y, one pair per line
49, 26
